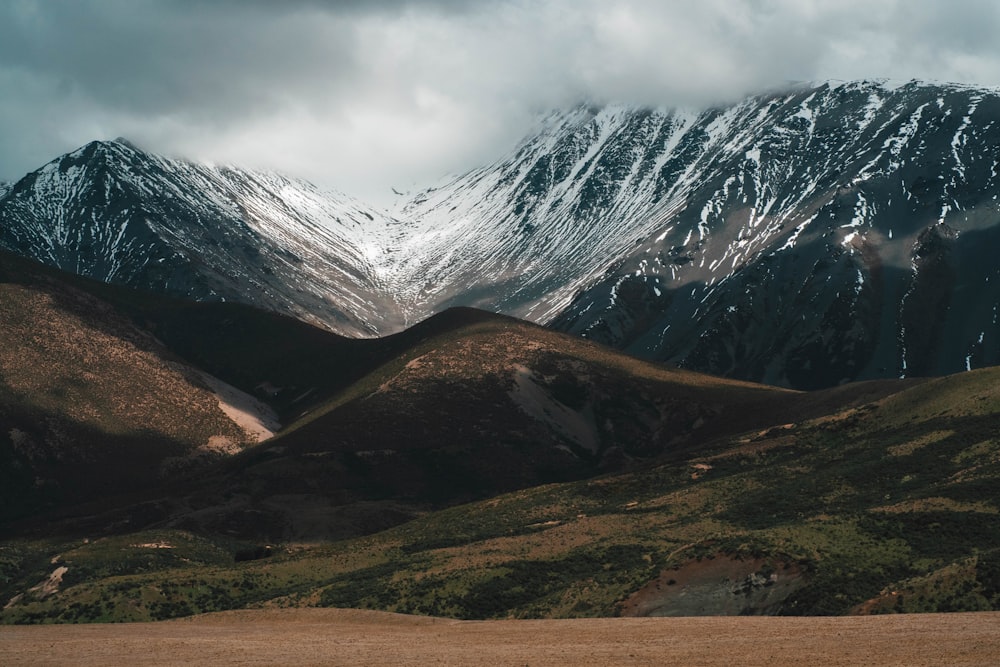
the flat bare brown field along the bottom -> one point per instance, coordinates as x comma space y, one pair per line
348, 637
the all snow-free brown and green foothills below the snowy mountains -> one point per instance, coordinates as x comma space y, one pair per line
474, 466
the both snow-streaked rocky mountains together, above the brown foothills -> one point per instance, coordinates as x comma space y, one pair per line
803, 238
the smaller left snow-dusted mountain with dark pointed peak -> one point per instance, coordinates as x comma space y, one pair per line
115, 213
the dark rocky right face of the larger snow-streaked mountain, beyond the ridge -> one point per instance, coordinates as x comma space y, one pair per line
834, 233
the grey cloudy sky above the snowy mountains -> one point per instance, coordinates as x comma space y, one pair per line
364, 95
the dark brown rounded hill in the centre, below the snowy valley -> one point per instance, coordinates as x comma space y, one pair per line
477, 405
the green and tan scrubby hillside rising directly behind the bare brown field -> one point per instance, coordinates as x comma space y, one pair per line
885, 505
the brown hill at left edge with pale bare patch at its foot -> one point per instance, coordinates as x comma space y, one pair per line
90, 404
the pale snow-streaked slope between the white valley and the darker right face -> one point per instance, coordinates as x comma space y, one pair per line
530, 230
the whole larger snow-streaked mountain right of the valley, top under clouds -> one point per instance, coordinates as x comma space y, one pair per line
827, 233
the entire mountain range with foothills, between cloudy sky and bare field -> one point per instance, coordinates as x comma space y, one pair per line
225, 389
